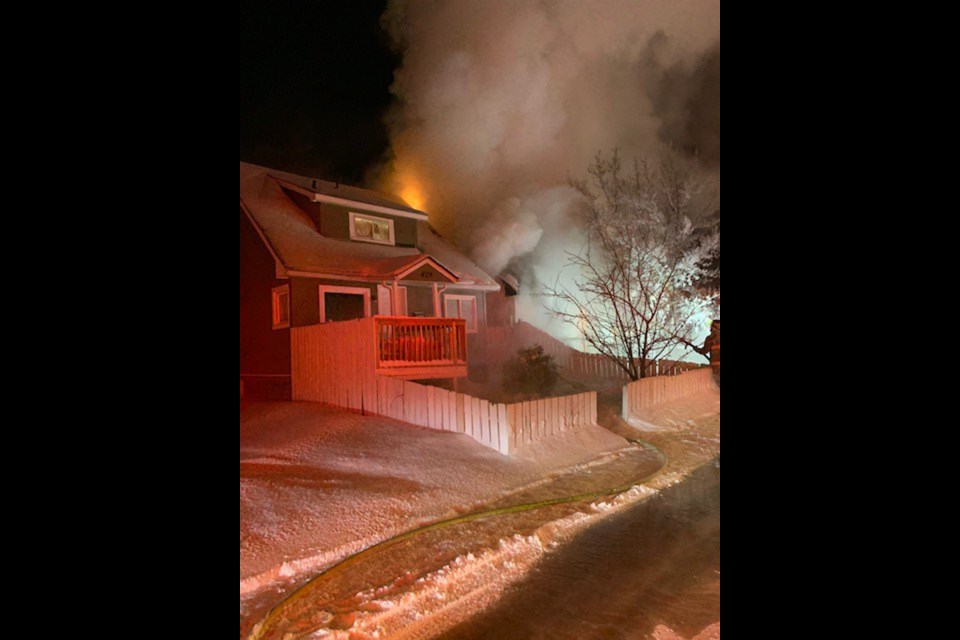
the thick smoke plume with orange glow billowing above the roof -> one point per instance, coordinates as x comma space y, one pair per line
500, 102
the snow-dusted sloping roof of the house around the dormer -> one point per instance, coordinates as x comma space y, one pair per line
296, 242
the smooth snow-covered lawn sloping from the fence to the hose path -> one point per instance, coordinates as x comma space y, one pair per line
318, 483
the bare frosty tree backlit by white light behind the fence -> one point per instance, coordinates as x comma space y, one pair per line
632, 293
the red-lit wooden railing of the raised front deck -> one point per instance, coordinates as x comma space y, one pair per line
414, 342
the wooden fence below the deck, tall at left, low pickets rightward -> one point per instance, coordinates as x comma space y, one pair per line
335, 363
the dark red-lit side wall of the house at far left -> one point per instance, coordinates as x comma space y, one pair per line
264, 351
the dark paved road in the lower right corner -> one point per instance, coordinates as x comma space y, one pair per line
657, 563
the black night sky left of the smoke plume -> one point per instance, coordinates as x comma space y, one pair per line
314, 87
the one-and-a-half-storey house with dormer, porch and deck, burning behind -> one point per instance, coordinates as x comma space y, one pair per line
315, 252
